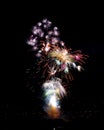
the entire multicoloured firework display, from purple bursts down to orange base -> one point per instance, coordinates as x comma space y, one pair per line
56, 62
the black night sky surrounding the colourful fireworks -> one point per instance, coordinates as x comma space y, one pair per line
80, 28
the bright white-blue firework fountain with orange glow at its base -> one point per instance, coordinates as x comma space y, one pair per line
53, 92
